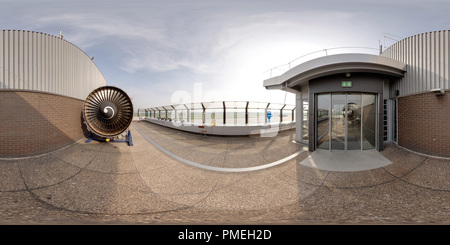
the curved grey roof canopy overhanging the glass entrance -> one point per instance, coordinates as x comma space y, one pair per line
335, 64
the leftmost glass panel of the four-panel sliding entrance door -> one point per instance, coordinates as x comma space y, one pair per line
323, 121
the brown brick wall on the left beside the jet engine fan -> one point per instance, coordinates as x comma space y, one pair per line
33, 123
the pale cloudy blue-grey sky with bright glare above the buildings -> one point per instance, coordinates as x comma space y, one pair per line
173, 51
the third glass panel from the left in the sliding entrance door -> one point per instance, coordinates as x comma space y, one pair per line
354, 122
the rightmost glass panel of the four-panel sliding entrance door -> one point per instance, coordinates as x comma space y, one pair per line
369, 121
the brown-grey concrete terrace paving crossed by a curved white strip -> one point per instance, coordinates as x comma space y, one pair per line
113, 183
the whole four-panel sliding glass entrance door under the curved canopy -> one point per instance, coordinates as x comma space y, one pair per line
346, 121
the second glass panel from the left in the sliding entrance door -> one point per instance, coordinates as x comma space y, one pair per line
338, 121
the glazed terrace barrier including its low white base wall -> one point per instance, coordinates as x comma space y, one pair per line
224, 117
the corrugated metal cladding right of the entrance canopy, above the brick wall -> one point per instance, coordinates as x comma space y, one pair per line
427, 59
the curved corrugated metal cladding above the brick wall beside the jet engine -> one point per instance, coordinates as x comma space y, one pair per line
42, 62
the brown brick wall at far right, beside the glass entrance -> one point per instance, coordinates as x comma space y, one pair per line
424, 123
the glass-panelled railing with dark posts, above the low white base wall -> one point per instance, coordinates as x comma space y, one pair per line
222, 113
